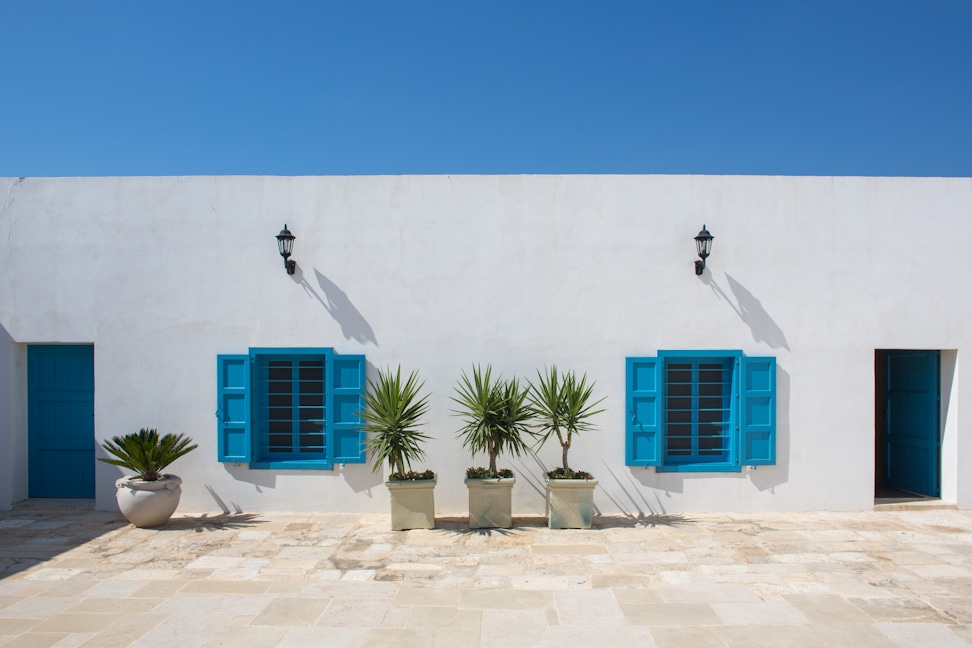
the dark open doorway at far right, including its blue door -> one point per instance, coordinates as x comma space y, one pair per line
907, 422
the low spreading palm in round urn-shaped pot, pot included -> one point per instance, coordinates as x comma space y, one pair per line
148, 498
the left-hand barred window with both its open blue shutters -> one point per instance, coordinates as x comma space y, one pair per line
290, 408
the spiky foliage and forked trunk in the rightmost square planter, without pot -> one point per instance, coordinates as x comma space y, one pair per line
561, 403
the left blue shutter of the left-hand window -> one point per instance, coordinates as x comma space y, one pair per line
233, 407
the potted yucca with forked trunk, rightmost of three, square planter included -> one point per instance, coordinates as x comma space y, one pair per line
563, 408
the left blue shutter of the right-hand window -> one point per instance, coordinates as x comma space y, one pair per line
644, 401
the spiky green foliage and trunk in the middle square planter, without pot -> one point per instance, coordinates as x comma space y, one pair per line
495, 414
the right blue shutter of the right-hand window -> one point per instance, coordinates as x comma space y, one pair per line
757, 412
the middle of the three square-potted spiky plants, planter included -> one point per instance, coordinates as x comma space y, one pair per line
496, 419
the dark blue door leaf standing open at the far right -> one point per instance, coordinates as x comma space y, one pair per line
911, 433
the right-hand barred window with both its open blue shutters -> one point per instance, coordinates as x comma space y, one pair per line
712, 411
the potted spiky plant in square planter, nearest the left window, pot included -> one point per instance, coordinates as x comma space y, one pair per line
392, 415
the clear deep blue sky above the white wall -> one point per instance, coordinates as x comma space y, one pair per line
306, 88
